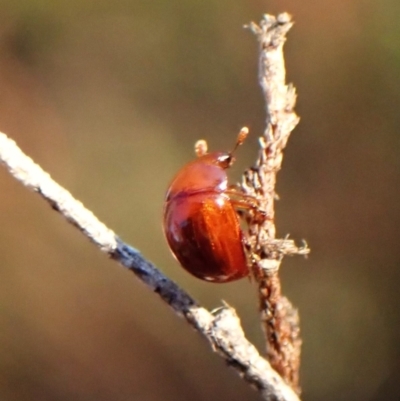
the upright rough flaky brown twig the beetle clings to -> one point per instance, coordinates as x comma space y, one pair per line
280, 319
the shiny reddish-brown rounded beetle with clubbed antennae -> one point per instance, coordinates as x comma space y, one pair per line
201, 223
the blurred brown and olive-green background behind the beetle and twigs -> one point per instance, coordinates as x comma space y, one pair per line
109, 97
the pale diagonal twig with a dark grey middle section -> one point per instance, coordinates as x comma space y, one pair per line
221, 327
